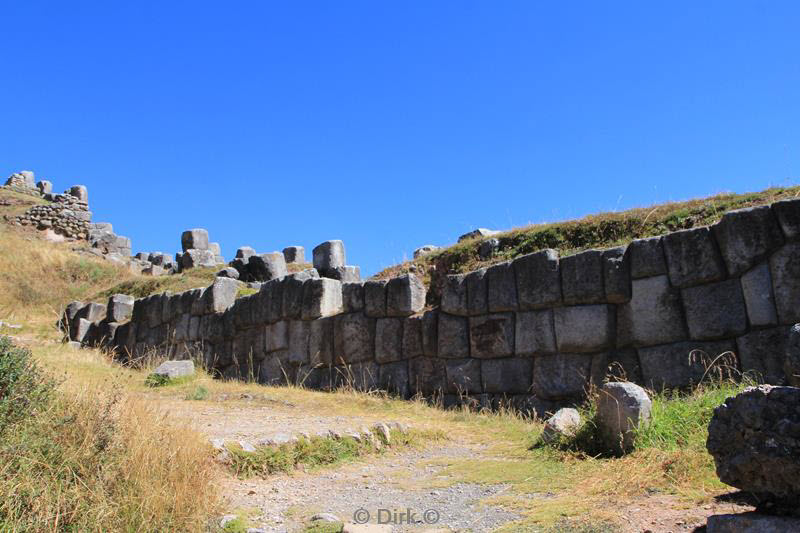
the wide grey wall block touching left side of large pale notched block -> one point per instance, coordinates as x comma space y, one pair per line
584, 328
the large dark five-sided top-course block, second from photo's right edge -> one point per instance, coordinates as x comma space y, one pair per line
746, 236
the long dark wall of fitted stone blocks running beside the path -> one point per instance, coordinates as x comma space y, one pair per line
535, 331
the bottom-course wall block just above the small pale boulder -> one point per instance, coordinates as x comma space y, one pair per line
561, 376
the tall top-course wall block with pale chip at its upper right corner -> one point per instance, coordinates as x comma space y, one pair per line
538, 278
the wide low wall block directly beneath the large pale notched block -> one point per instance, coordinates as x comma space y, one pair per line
681, 364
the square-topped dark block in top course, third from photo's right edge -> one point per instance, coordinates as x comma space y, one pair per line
692, 257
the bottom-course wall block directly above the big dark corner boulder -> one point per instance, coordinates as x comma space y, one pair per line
762, 354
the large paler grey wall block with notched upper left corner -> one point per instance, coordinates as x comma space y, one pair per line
653, 316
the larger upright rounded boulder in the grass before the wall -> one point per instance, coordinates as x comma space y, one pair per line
621, 409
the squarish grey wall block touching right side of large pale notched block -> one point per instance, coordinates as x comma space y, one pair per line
715, 311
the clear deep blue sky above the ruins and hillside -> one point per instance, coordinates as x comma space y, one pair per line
393, 124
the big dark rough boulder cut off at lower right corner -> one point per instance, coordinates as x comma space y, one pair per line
754, 440
